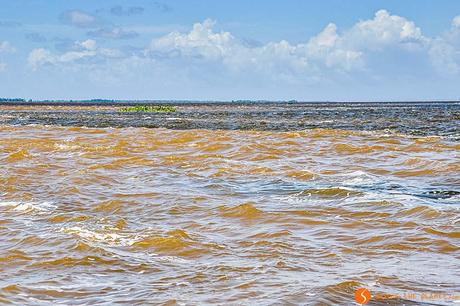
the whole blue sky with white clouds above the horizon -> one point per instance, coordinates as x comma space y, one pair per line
329, 50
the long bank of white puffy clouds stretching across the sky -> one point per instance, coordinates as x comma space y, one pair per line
332, 51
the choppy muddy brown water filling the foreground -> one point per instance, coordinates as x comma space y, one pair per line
190, 217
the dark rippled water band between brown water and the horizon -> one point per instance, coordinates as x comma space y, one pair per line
442, 119
